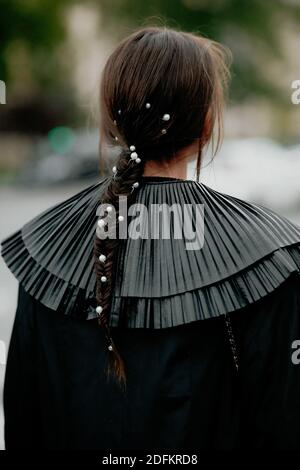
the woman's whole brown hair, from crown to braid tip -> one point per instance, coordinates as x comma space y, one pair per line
178, 73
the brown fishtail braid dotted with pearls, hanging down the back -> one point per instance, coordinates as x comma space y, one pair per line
128, 172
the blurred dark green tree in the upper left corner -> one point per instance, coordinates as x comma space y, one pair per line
39, 93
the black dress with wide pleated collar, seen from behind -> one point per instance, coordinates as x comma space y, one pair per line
210, 337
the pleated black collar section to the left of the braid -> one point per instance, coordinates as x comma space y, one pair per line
51, 255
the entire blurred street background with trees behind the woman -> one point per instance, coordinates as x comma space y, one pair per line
51, 56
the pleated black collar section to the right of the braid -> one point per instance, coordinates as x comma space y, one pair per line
248, 251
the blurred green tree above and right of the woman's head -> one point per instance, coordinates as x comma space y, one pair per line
251, 28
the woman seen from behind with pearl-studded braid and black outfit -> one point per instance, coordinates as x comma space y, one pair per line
197, 345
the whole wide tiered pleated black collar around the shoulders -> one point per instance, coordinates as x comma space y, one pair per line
248, 251
